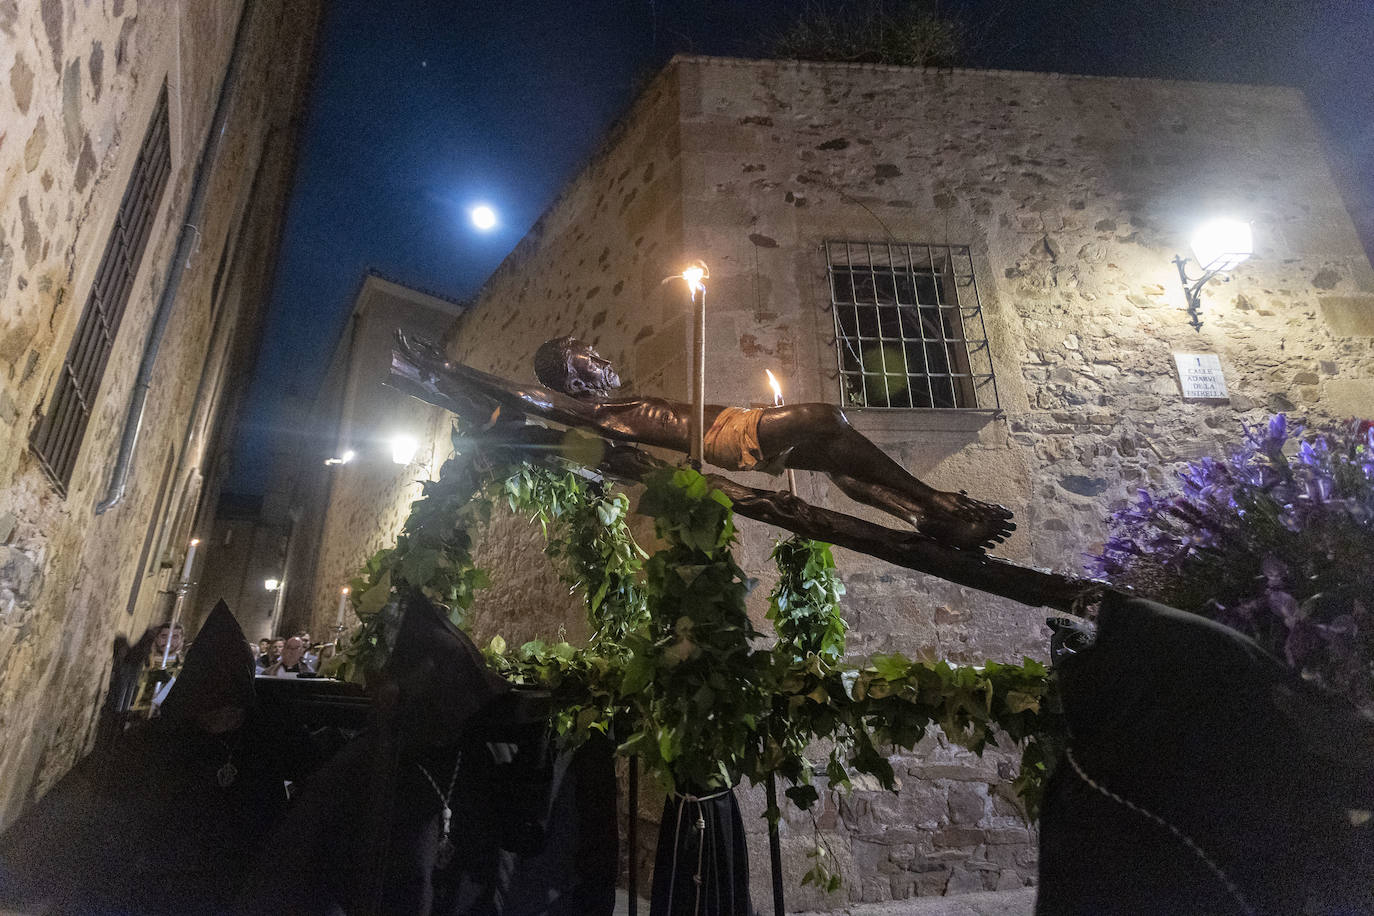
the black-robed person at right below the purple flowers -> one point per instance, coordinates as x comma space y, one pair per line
1203, 778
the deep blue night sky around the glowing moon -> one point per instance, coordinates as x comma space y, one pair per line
424, 109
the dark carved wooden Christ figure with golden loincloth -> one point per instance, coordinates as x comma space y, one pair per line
807, 437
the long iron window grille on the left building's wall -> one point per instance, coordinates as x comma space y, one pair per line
57, 440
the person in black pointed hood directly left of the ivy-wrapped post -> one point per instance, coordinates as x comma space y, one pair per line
368, 833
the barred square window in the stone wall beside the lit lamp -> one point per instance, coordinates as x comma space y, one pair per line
909, 328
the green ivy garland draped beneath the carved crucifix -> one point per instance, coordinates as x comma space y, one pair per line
673, 671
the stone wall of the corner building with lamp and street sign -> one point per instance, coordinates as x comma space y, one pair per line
1072, 194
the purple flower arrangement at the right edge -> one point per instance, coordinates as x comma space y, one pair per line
1276, 540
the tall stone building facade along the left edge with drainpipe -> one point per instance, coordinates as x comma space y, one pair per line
97, 100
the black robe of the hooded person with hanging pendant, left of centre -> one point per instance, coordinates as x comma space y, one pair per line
363, 837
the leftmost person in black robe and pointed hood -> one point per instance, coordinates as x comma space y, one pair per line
166, 821
